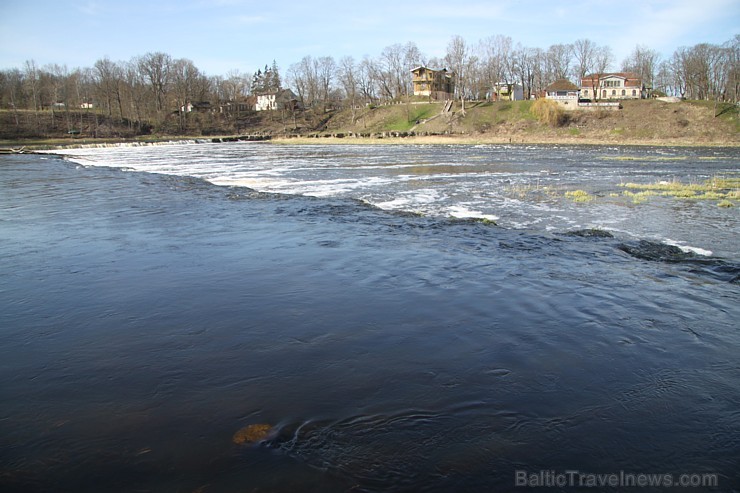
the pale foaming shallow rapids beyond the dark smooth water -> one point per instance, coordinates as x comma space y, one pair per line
519, 187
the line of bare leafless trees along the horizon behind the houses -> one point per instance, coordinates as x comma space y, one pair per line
155, 86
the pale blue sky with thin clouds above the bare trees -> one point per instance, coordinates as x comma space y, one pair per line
222, 36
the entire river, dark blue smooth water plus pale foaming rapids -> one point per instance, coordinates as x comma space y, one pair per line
343, 296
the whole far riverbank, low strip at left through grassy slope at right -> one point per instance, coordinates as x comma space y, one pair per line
644, 123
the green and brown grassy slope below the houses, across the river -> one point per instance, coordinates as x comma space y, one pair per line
644, 122
